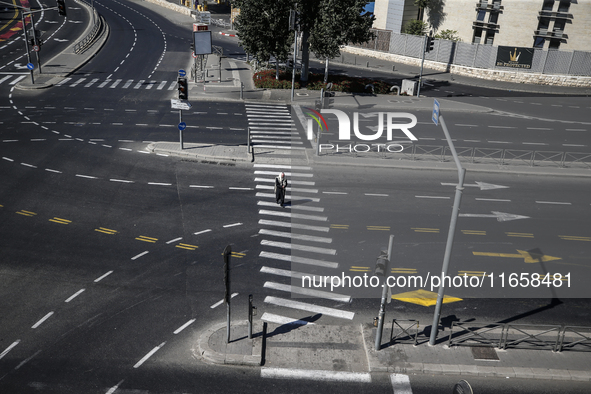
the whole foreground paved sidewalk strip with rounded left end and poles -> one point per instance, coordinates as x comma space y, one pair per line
351, 349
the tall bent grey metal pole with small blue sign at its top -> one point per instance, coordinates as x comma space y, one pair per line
452, 225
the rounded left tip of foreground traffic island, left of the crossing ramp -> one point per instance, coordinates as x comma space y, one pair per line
213, 348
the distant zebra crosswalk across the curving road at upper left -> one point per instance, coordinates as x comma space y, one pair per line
98, 83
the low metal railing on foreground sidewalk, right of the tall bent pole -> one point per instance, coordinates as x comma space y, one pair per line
523, 336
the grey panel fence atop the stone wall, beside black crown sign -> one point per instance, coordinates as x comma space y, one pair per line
576, 63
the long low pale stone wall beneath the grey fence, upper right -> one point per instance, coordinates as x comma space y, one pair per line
494, 75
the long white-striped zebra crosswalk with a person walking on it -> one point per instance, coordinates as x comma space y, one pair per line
295, 235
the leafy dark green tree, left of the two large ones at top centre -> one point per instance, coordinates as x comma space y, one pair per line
263, 28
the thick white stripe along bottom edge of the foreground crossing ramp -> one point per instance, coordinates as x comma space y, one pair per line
324, 376
